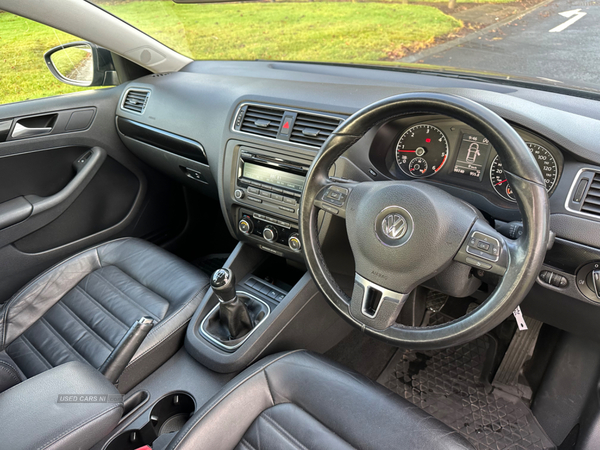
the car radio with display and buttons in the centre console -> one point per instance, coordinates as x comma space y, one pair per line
272, 183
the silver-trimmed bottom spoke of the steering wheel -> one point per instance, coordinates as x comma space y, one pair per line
375, 306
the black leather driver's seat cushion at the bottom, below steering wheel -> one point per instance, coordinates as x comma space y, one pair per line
300, 400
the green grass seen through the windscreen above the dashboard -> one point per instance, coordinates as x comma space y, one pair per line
314, 31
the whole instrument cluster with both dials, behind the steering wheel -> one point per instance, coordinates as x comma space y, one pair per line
449, 151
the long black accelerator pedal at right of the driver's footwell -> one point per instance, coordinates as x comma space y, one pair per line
519, 352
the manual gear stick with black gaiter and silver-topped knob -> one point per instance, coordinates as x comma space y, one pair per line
233, 313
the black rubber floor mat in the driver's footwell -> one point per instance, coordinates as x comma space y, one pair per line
448, 385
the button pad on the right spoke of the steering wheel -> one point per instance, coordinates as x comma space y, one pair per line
486, 249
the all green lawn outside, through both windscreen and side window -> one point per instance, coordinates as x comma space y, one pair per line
319, 31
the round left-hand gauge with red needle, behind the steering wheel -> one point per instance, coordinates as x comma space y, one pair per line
422, 151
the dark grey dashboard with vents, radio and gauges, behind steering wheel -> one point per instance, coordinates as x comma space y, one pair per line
247, 132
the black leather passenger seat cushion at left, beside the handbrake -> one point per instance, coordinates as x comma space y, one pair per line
80, 309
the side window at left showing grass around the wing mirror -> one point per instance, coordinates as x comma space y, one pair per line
23, 72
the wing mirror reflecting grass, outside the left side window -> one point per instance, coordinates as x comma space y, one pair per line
82, 64
